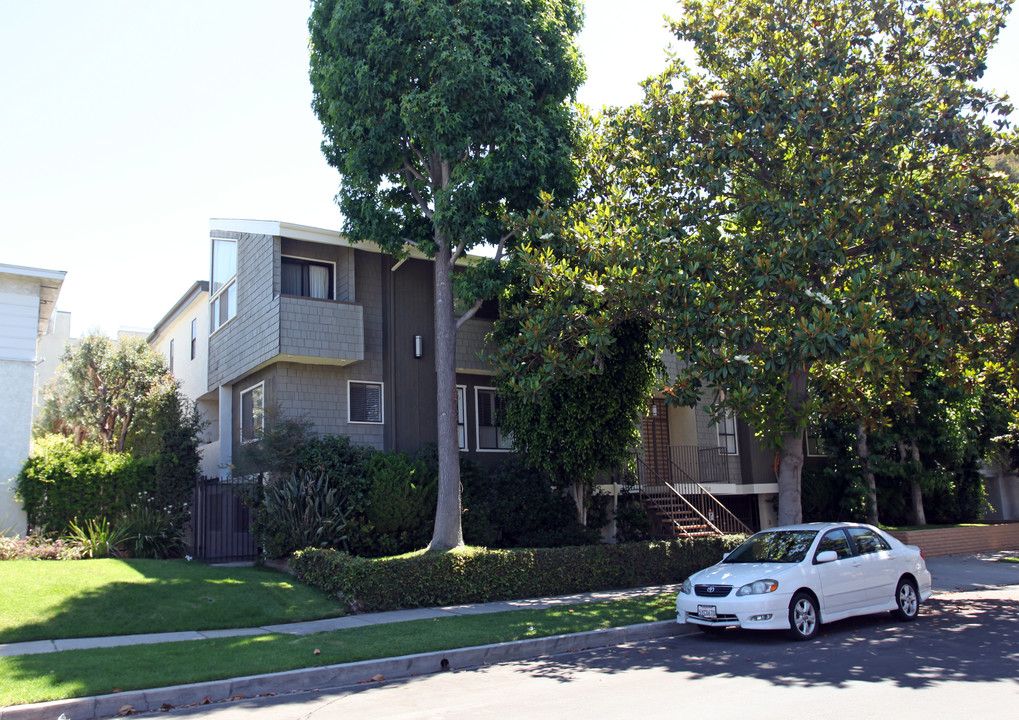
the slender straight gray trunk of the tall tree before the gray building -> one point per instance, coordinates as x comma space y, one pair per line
449, 531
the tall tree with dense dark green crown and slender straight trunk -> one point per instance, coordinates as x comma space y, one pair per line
444, 118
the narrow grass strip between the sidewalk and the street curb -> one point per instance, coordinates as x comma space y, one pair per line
34, 679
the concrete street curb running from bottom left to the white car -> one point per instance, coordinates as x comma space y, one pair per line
335, 677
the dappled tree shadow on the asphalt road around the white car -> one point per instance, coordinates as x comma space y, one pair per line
957, 639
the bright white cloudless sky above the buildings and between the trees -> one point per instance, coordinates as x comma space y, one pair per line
126, 126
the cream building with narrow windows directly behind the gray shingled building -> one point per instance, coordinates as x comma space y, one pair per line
183, 338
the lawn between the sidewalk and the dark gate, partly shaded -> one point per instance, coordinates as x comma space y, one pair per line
50, 600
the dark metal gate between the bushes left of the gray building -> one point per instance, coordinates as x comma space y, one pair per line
221, 523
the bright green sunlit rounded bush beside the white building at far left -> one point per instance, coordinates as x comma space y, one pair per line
62, 482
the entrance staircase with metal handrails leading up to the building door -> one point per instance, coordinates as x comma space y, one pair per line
684, 510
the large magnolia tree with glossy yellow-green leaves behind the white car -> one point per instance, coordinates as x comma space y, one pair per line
814, 201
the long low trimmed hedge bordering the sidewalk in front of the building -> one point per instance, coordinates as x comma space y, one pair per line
480, 576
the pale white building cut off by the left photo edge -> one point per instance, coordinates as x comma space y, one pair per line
28, 297
